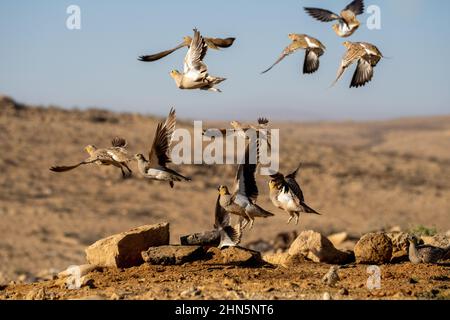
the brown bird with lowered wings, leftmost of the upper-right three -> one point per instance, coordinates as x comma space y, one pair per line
314, 50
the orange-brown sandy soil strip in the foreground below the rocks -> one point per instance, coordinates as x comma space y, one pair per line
209, 280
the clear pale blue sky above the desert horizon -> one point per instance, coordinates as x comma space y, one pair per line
42, 62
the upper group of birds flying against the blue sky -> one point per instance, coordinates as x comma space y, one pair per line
195, 72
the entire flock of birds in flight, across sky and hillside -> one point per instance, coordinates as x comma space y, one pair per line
285, 192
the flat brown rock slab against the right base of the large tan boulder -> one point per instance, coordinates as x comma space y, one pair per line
173, 255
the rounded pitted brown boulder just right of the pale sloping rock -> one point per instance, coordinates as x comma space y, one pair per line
374, 248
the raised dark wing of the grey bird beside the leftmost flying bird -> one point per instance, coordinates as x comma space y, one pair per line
159, 153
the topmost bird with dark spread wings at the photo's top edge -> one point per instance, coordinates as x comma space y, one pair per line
347, 21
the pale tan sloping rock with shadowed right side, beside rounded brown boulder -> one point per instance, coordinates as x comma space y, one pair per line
318, 248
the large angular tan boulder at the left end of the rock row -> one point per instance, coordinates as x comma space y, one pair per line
123, 250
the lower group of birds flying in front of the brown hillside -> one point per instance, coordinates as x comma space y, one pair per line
285, 192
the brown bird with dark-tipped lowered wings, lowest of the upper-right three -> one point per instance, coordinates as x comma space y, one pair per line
367, 56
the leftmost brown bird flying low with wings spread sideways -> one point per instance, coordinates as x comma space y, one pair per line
116, 156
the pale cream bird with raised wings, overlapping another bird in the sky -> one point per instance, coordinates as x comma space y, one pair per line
195, 74
